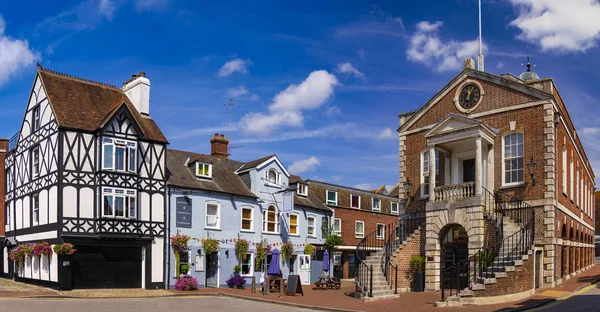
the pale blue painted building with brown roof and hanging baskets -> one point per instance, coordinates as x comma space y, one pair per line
213, 196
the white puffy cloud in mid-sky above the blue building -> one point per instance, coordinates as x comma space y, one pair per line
287, 106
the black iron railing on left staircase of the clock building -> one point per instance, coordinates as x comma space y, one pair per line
384, 240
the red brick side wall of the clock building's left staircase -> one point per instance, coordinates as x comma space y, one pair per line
414, 246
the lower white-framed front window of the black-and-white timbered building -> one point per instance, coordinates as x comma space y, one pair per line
120, 203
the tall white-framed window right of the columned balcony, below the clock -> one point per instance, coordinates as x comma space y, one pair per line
512, 159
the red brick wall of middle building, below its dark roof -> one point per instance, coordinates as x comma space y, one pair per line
348, 216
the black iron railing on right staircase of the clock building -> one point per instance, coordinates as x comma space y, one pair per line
496, 254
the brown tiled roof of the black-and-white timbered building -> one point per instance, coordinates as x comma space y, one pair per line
86, 105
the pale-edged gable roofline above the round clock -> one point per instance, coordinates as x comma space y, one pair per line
491, 78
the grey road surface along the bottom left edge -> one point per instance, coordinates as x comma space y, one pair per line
145, 305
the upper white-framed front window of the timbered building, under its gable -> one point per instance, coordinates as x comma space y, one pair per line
119, 155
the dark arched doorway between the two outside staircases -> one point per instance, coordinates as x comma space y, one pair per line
454, 243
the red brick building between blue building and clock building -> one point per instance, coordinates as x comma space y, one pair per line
357, 213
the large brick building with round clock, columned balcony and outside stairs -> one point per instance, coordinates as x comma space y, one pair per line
496, 165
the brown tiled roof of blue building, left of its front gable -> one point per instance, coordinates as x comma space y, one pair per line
224, 179
